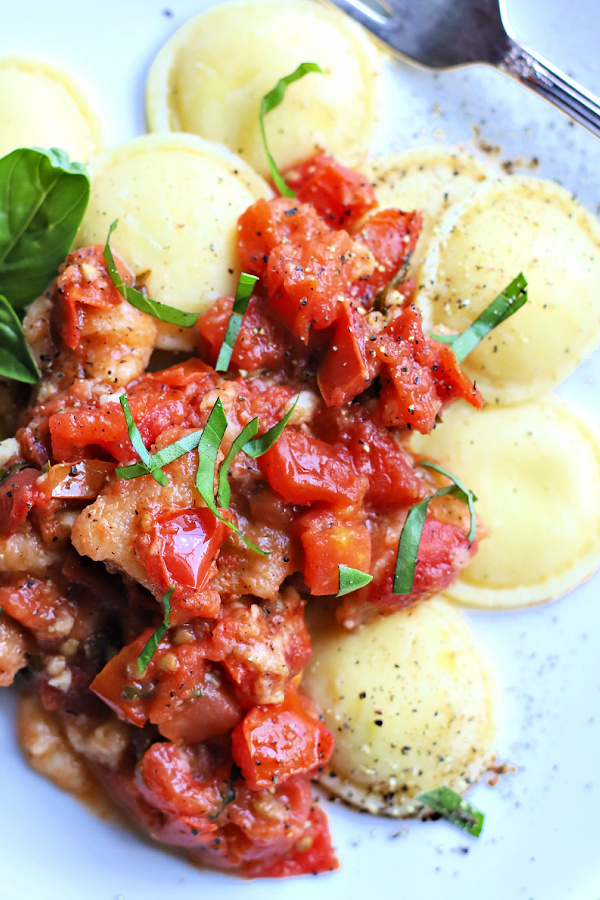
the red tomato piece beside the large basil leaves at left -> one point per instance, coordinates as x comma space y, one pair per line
83, 281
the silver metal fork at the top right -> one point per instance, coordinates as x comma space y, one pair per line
442, 34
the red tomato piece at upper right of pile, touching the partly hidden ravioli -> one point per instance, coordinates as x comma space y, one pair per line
391, 236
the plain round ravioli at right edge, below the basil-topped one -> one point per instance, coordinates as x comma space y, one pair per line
535, 468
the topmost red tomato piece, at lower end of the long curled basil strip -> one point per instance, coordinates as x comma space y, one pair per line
340, 195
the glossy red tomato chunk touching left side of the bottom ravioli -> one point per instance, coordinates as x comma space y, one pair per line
273, 743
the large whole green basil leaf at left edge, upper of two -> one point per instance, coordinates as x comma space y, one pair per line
43, 197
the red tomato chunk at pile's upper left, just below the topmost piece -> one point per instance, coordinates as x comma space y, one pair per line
270, 222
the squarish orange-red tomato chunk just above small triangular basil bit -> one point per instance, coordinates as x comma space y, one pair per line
328, 542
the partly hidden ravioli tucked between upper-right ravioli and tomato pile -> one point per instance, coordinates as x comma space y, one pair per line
427, 178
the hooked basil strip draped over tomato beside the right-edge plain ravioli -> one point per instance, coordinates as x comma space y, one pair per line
410, 538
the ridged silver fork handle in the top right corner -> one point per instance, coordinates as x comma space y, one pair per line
552, 85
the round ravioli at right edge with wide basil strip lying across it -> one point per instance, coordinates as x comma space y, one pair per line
502, 228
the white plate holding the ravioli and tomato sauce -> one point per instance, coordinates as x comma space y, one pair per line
542, 830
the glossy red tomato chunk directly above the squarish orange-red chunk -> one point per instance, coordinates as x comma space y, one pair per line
305, 470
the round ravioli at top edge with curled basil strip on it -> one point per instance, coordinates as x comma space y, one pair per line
210, 77
